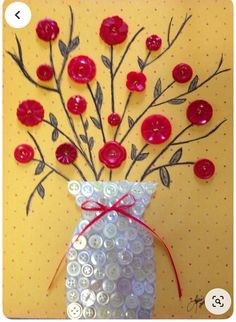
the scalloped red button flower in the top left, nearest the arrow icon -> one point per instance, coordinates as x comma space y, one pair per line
47, 29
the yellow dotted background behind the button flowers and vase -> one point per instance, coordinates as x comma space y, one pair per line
195, 217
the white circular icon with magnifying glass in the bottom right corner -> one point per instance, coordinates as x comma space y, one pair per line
218, 301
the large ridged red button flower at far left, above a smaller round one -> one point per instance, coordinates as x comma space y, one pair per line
30, 112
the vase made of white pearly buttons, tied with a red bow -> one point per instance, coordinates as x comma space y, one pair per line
111, 265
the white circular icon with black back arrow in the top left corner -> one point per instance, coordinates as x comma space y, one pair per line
18, 15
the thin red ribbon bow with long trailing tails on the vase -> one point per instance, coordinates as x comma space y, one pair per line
119, 207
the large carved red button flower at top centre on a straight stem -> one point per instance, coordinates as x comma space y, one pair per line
113, 30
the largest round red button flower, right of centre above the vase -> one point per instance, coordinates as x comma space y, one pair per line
156, 129
